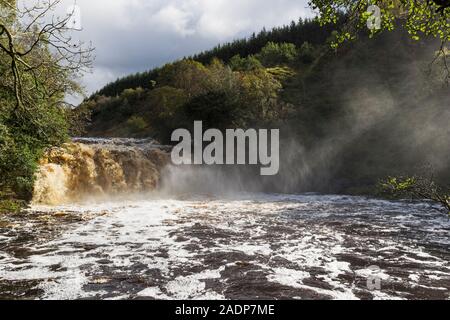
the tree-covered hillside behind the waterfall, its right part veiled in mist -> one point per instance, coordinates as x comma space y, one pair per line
348, 117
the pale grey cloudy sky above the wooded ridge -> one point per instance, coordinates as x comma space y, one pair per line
136, 35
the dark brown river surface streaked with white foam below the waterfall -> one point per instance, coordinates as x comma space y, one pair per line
255, 246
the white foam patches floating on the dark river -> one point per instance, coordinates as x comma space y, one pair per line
145, 232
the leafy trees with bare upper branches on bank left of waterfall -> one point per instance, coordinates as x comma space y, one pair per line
39, 65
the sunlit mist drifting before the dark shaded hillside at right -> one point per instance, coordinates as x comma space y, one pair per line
386, 116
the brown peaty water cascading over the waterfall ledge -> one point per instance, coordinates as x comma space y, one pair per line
87, 169
